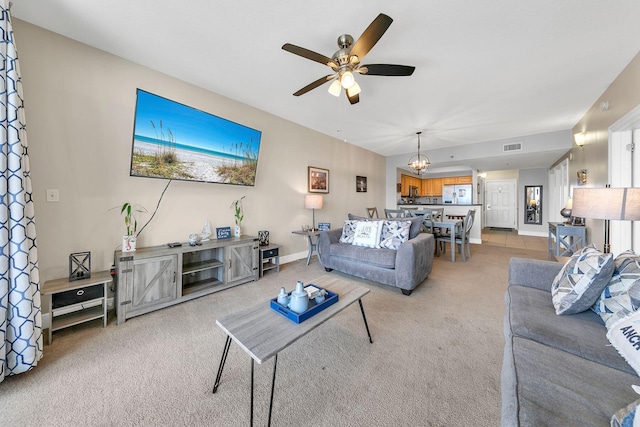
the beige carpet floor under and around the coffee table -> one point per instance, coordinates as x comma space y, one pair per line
435, 359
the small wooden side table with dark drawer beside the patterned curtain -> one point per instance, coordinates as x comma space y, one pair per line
72, 303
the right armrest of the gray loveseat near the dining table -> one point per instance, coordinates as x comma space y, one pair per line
414, 261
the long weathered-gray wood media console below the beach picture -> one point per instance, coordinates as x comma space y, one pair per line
152, 278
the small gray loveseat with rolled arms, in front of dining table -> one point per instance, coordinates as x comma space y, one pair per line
405, 268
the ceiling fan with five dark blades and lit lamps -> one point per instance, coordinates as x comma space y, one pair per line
347, 61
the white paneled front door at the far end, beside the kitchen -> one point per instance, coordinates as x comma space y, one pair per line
500, 197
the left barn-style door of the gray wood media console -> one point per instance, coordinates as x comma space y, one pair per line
154, 282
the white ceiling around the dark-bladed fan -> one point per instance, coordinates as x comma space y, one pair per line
485, 70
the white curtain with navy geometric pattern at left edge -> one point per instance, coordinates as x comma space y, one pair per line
20, 317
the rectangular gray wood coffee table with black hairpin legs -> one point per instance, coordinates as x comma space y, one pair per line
263, 333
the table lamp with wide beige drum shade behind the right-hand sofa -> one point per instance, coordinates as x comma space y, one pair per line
608, 204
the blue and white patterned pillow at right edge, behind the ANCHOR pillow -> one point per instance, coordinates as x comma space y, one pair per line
622, 295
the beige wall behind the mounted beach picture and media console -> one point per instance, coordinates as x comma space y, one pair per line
79, 104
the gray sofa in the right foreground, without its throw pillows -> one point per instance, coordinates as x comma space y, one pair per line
557, 370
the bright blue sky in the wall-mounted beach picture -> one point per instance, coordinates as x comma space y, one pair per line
190, 126
